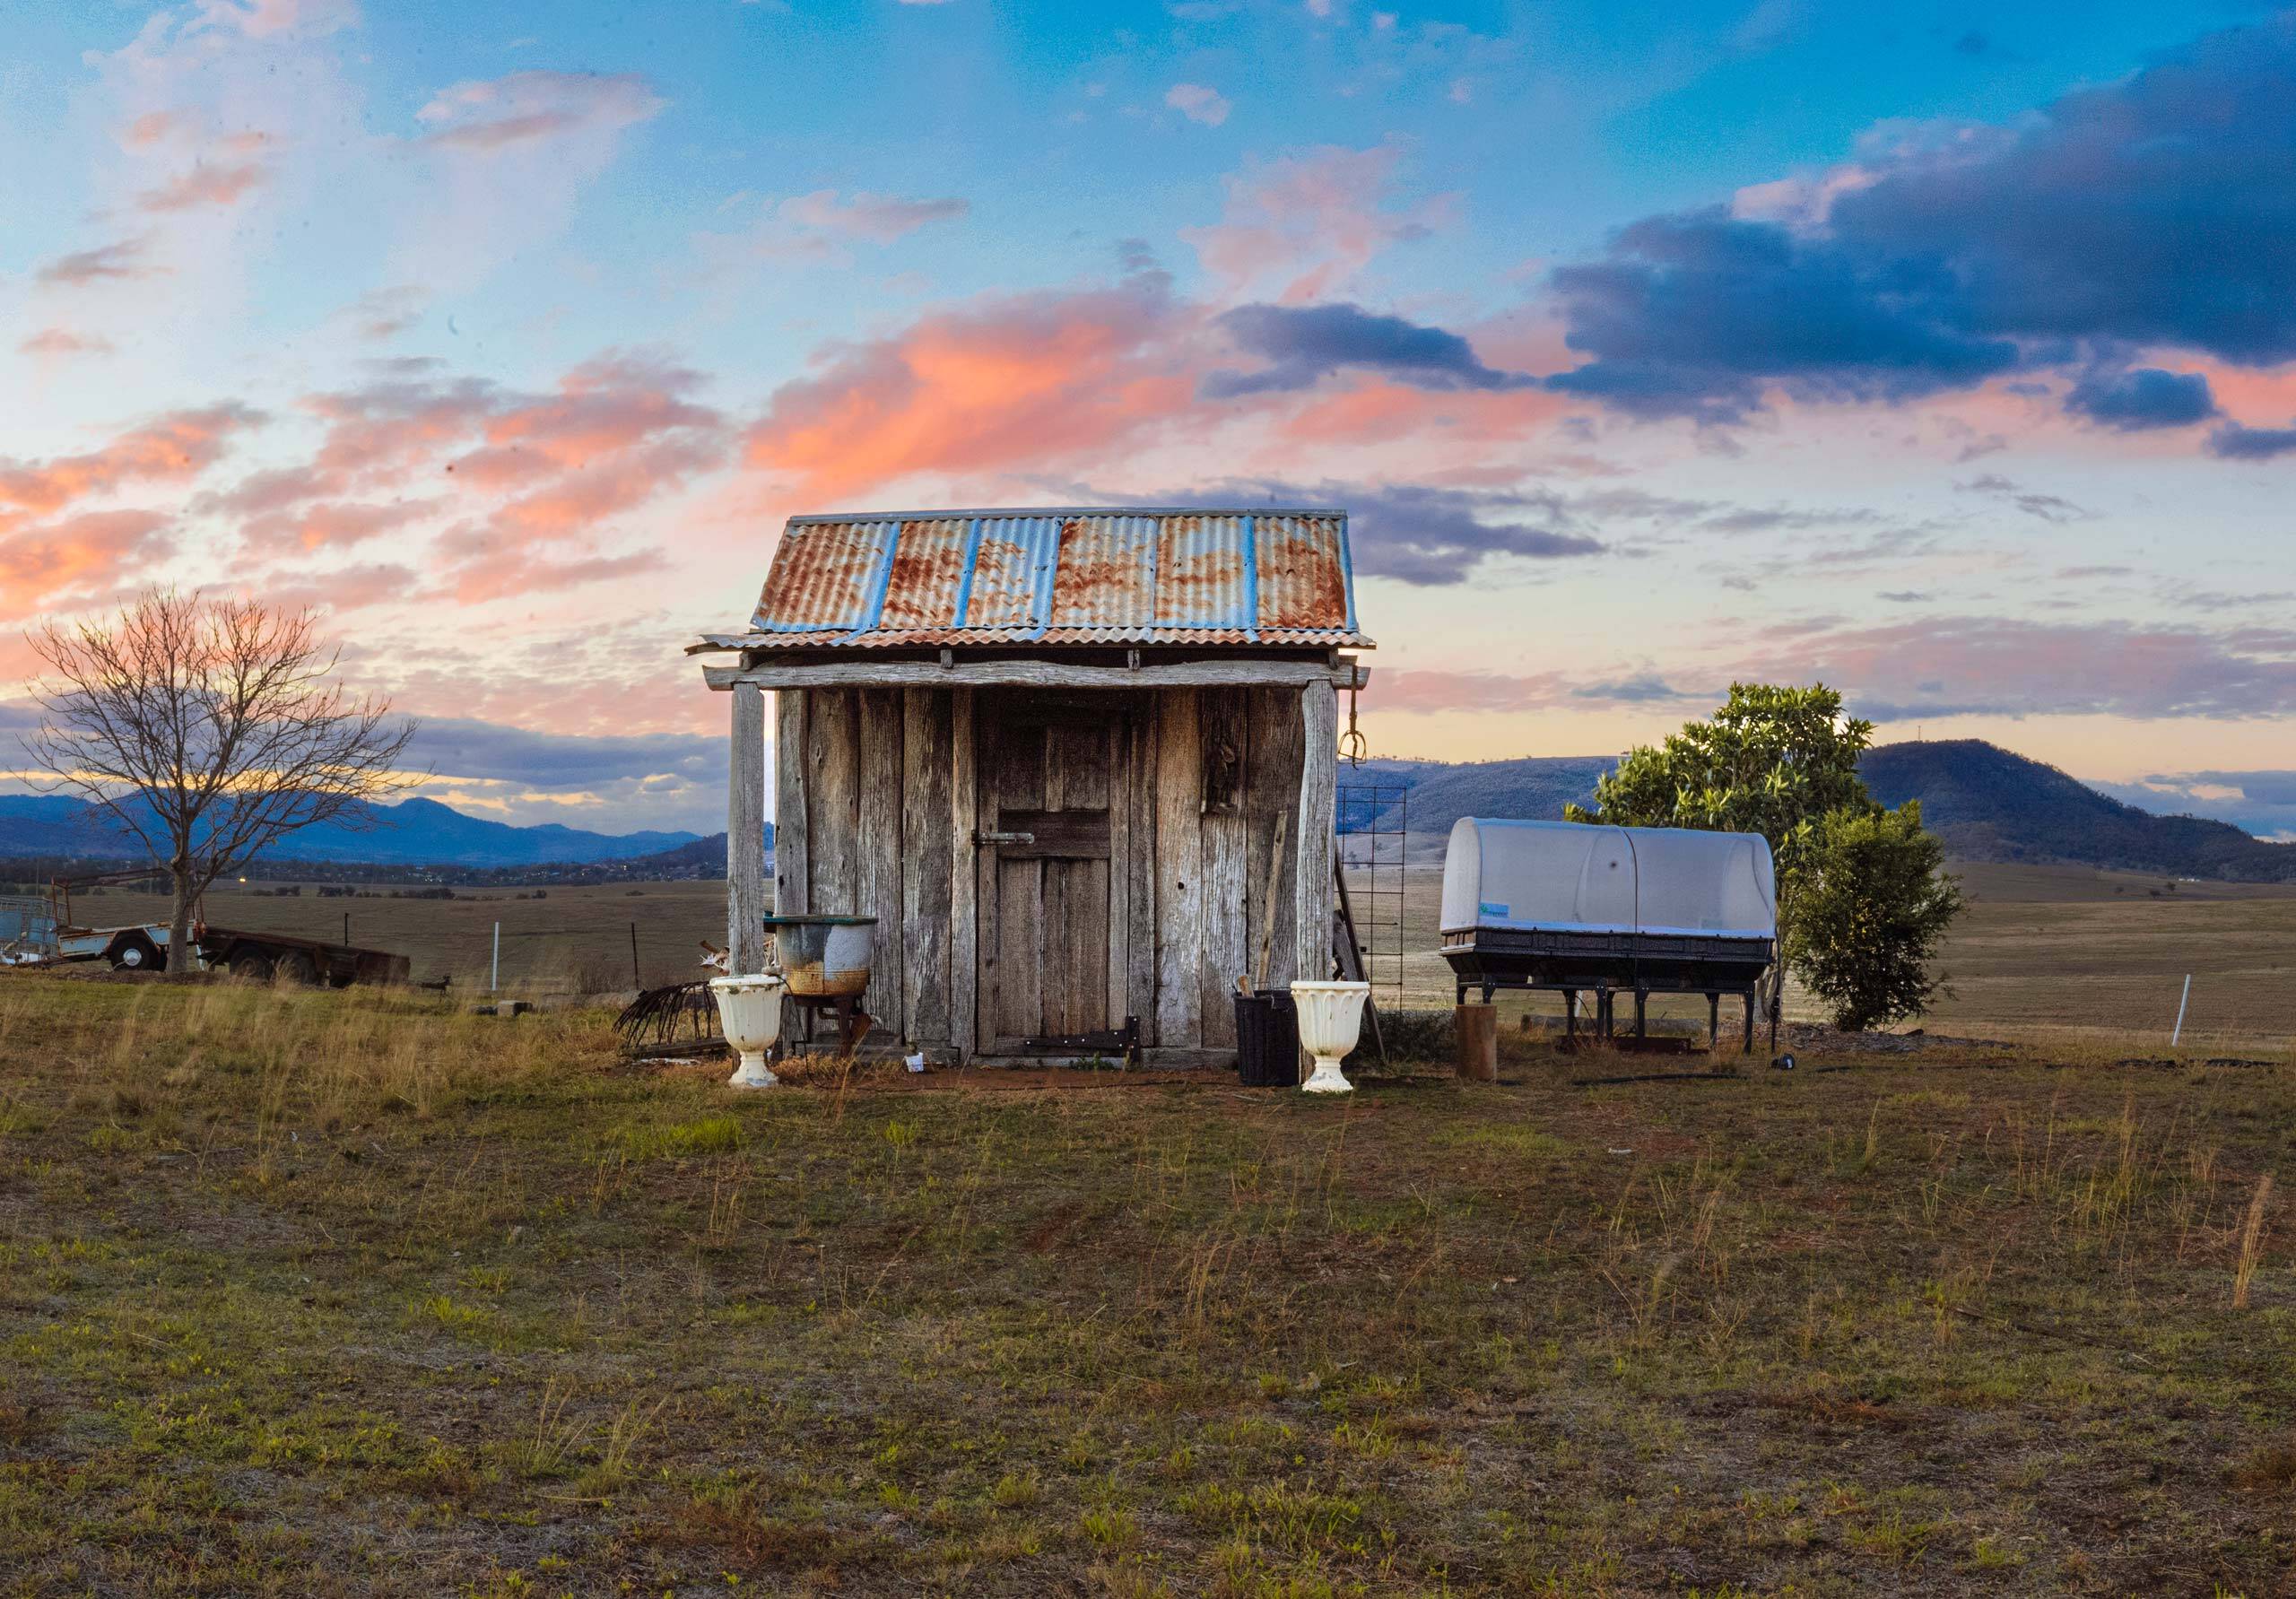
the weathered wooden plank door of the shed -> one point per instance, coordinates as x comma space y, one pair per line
1048, 773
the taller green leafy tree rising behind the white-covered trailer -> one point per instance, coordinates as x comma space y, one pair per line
1778, 762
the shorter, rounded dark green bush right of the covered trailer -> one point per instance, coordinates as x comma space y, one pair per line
1872, 913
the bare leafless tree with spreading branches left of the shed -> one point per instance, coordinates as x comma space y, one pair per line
210, 729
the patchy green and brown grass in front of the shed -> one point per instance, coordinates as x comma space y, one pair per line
343, 1292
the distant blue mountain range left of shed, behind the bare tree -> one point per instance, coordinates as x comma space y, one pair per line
414, 833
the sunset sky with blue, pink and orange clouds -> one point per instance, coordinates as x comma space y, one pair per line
1934, 350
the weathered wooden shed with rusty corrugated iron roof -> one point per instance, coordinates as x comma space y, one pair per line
1055, 755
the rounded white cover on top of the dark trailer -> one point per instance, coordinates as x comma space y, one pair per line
1574, 879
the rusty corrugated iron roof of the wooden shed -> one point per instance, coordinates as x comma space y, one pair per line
1096, 576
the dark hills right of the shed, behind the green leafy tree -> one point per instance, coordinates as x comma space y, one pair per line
1987, 803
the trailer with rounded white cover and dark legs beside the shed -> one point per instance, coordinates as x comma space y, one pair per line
1643, 911
